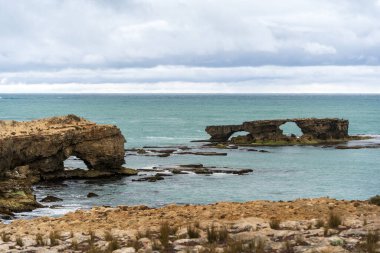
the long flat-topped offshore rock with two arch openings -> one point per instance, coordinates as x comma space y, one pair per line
269, 130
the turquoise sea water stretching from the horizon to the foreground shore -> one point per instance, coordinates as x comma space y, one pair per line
284, 173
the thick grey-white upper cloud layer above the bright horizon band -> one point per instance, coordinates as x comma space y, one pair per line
38, 34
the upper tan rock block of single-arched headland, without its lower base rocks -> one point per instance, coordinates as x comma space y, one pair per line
43, 145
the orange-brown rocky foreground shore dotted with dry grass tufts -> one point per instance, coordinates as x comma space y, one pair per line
321, 225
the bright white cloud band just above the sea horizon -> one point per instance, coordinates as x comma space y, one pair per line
182, 79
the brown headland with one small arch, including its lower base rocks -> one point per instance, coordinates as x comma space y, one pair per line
36, 150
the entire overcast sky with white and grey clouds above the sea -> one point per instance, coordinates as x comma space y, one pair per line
292, 46
